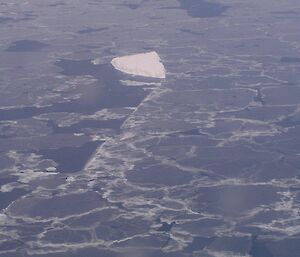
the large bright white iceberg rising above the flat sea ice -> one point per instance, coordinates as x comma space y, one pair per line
144, 64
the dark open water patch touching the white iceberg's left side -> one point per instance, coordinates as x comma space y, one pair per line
108, 94
